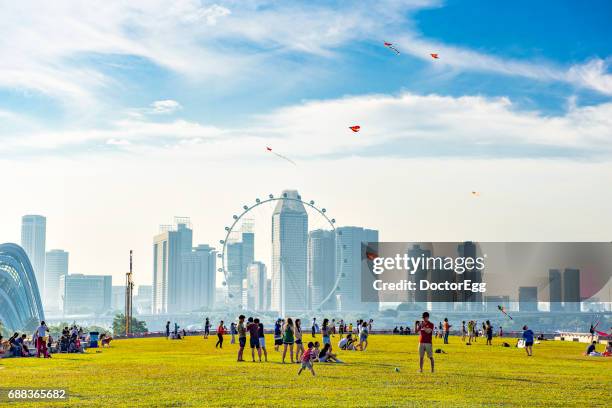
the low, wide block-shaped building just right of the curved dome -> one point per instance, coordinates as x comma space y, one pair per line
84, 294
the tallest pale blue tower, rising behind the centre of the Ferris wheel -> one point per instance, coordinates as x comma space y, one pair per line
289, 254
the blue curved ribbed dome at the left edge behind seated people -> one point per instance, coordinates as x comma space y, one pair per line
20, 305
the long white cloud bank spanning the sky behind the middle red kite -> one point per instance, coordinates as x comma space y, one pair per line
406, 124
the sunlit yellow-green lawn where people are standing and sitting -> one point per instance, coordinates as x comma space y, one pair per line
160, 372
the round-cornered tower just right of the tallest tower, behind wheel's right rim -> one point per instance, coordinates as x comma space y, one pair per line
321, 269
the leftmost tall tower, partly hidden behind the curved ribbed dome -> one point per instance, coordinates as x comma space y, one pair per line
33, 241
